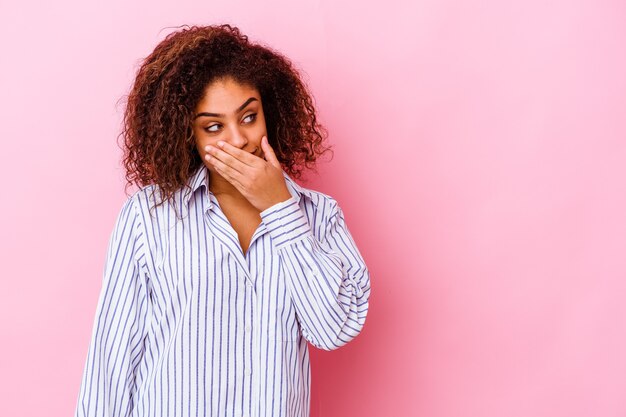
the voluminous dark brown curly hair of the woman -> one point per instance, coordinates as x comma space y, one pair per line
157, 129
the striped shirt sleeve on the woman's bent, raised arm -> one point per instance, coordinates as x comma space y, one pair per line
327, 278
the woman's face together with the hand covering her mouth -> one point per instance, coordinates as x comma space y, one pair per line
232, 142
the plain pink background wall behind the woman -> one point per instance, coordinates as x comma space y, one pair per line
480, 159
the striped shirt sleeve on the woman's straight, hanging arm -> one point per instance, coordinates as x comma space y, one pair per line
117, 340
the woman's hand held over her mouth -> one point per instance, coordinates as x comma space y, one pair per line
259, 180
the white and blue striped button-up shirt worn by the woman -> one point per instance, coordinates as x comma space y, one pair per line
188, 325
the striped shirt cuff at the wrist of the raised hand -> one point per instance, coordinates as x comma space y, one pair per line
285, 222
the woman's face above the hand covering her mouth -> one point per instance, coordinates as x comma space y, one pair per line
231, 112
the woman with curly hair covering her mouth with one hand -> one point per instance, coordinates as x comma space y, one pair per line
221, 267
